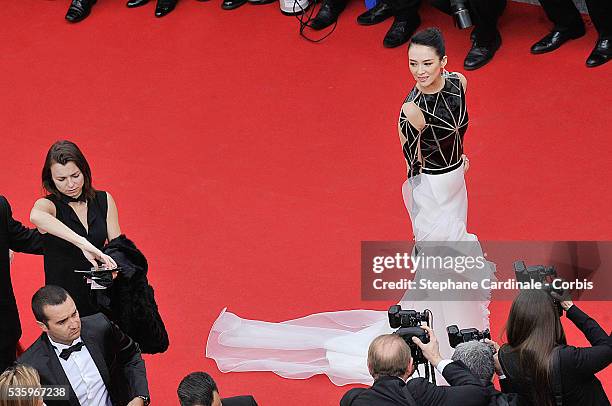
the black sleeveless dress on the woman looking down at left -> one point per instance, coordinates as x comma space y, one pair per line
62, 257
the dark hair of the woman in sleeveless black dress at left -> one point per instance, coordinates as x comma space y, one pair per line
63, 152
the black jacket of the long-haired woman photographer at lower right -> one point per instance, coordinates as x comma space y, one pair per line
578, 366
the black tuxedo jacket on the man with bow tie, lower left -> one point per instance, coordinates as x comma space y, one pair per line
115, 354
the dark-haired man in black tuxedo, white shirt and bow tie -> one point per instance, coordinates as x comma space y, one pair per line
100, 365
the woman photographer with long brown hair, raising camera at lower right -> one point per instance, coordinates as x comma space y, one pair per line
537, 362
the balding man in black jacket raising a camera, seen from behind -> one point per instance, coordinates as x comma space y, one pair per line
390, 364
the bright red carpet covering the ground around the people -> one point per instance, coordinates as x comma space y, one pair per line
248, 164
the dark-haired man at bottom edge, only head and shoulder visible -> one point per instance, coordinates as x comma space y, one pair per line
199, 389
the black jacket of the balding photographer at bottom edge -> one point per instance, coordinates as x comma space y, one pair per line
465, 390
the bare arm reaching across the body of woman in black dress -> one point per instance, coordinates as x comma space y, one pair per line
43, 217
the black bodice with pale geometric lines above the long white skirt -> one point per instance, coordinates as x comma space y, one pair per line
441, 140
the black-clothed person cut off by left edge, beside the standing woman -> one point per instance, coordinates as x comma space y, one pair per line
13, 236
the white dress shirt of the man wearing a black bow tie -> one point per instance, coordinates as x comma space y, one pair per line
83, 375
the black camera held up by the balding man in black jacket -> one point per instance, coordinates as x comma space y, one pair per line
407, 323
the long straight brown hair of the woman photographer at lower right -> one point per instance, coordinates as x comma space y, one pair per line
534, 330
